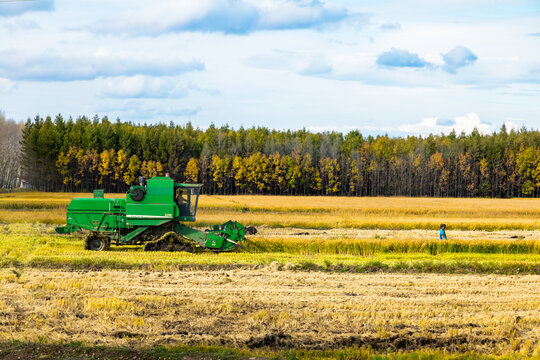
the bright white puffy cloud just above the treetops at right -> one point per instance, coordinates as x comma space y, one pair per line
435, 125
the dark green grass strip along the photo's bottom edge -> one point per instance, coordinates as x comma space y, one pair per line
80, 351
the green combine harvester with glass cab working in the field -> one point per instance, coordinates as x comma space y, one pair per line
151, 215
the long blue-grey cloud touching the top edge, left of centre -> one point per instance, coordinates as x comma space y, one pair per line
226, 16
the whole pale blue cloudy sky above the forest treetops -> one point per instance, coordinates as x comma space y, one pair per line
381, 67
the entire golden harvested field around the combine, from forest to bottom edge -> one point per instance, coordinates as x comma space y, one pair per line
325, 277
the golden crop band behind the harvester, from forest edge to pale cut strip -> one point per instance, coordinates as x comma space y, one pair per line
314, 211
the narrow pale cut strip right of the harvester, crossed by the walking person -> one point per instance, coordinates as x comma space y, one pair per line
398, 234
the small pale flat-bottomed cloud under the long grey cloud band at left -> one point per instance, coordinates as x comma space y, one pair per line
140, 86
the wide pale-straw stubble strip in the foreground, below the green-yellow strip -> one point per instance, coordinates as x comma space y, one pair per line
269, 308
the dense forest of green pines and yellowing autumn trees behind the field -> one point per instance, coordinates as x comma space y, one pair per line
86, 153
